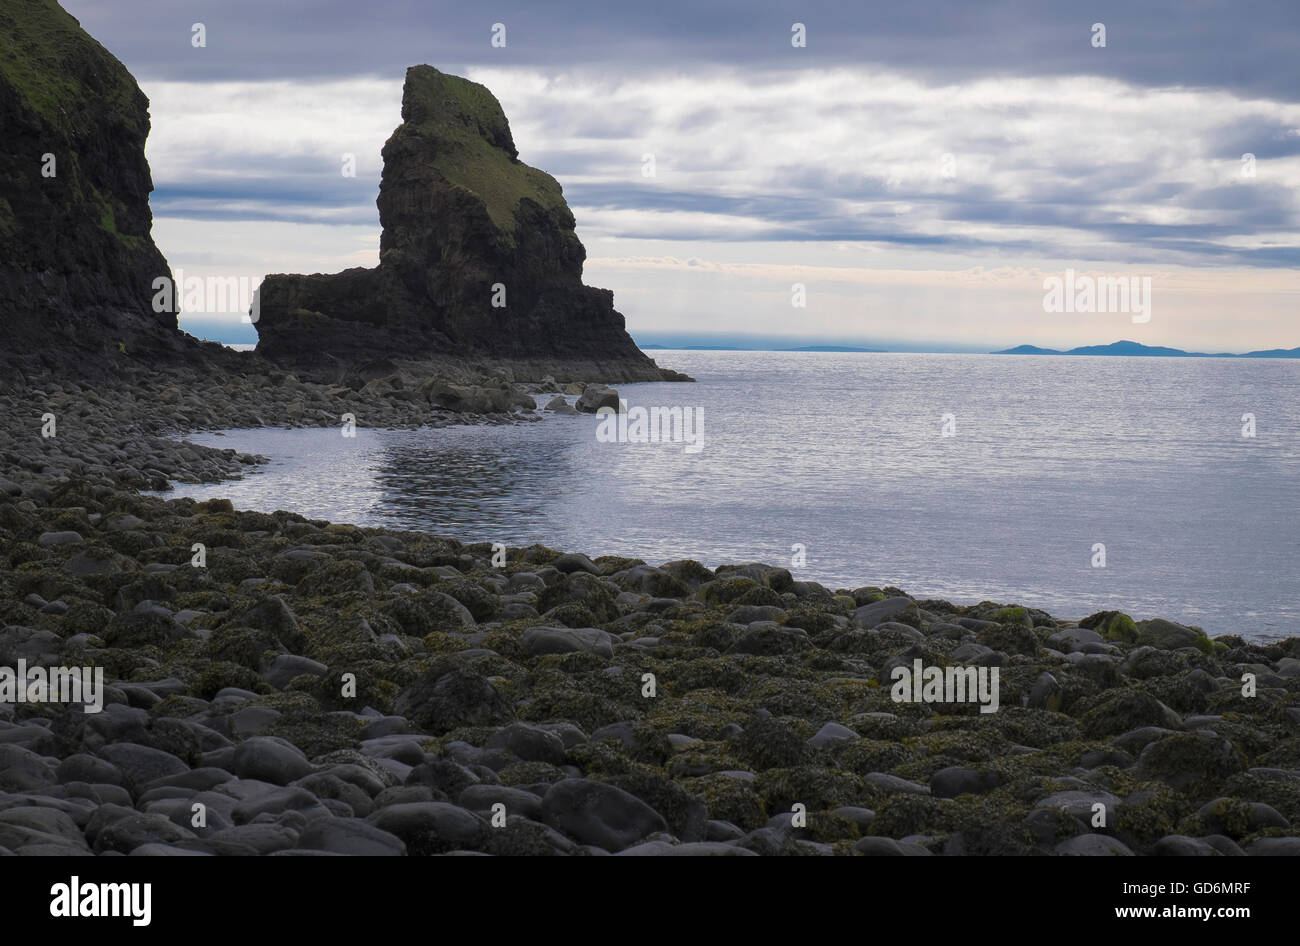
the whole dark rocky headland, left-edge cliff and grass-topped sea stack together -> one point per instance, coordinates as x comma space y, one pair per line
466, 224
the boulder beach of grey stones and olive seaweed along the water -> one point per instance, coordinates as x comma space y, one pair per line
322, 688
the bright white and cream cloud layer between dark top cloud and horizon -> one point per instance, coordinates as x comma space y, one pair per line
838, 173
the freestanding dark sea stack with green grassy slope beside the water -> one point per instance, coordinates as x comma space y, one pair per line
463, 222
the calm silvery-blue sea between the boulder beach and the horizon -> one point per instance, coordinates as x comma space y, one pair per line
1046, 461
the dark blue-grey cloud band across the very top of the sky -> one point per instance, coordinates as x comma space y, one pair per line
1246, 46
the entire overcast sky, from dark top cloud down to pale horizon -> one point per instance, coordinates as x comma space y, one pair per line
920, 168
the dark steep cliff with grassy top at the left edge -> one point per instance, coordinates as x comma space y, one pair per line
77, 261
